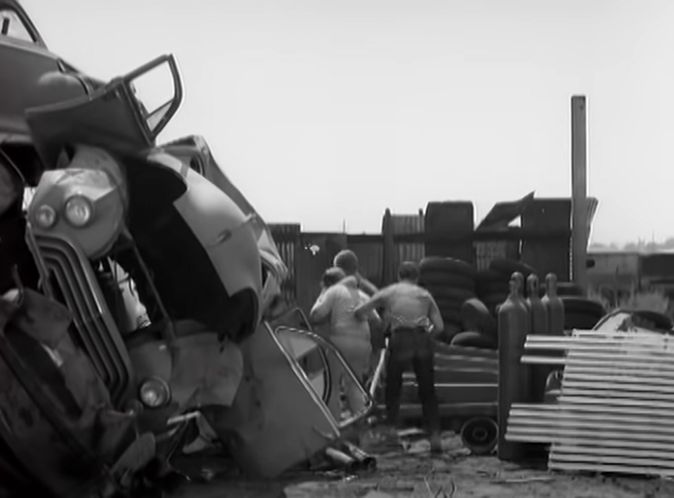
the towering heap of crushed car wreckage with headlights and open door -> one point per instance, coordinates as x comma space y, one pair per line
138, 290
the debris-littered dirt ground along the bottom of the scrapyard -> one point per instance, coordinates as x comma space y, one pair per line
406, 469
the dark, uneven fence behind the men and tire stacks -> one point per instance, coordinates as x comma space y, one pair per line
542, 240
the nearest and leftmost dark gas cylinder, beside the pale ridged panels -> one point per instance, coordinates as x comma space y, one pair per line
513, 381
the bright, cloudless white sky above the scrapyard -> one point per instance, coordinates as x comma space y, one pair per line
330, 110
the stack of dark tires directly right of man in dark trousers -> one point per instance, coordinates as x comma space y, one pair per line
450, 282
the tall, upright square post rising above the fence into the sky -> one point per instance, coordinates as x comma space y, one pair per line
579, 234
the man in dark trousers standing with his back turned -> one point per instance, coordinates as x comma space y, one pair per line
412, 315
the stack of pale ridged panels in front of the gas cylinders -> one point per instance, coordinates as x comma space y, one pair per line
615, 412
